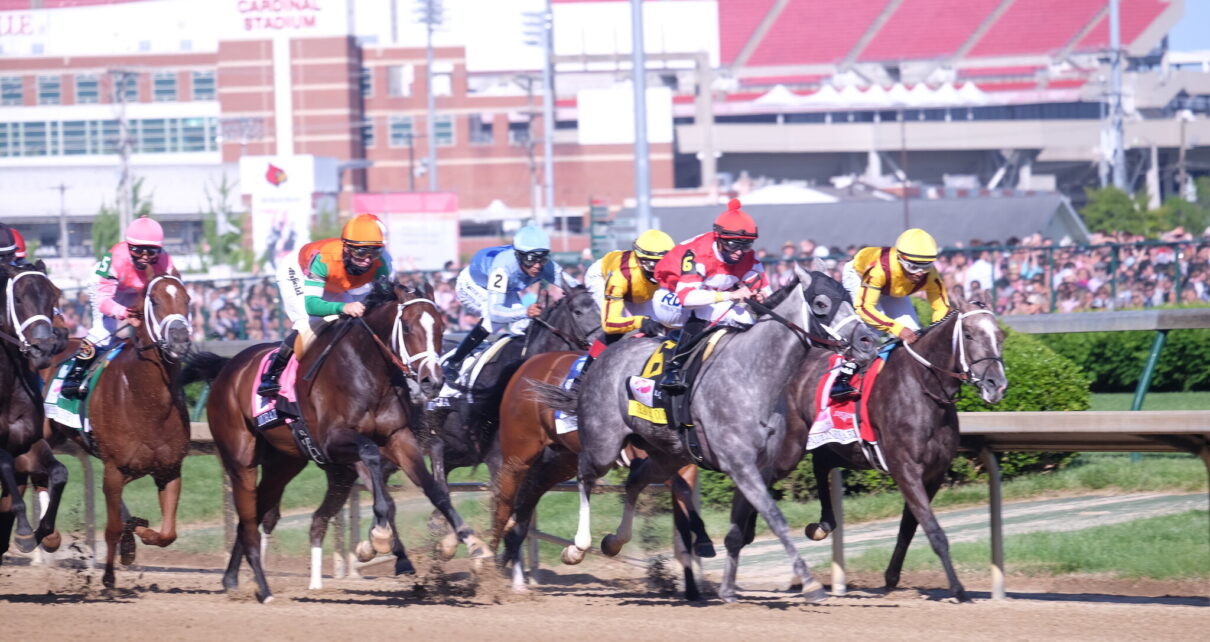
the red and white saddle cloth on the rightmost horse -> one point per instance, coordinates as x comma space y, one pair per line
844, 423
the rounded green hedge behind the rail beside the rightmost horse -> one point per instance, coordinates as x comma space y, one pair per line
1039, 379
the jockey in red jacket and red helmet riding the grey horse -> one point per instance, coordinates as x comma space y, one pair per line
706, 281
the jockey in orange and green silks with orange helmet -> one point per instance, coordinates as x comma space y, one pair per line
331, 277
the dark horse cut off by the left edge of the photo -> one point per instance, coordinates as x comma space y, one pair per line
30, 343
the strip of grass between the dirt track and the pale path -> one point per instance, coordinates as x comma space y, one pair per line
1171, 547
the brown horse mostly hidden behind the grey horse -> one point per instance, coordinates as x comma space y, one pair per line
535, 458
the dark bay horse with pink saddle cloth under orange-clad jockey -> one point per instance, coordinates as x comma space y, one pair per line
361, 400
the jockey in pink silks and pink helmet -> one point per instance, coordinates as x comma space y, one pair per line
119, 279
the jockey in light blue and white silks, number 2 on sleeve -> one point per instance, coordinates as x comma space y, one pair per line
493, 285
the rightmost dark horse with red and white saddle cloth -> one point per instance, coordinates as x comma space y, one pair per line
917, 424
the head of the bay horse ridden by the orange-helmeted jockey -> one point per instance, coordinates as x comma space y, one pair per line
417, 329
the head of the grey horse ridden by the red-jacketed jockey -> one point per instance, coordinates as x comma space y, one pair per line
828, 310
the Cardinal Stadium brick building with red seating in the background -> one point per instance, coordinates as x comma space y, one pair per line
837, 95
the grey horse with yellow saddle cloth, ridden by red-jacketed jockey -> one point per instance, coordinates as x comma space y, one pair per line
737, 403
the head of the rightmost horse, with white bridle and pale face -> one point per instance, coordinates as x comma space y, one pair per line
979, 344
